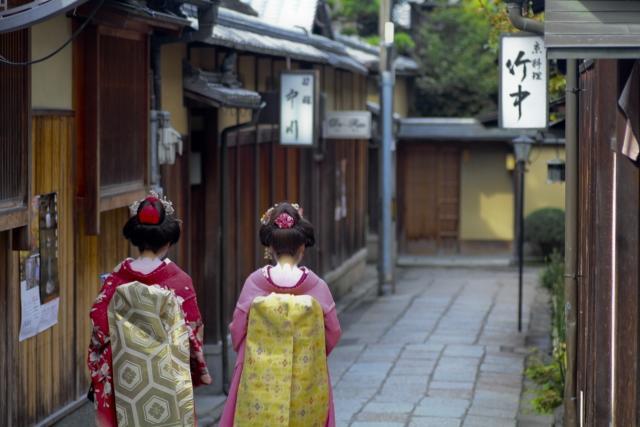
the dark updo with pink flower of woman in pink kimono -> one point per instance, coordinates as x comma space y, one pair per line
286, 241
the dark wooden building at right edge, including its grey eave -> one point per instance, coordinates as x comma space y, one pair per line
603, 37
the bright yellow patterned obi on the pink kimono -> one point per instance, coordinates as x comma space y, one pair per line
284, 380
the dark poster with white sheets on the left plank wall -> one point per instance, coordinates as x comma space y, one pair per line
39, 284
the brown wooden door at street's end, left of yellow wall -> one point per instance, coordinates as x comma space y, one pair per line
429, 198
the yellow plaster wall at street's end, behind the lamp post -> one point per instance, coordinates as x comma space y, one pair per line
487, 194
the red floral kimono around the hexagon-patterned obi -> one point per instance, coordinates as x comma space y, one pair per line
168, 275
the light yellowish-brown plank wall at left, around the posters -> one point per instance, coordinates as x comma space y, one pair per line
40, 377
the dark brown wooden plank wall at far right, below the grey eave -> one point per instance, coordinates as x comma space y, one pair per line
608, 262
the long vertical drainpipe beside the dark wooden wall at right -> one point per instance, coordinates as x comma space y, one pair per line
571, 240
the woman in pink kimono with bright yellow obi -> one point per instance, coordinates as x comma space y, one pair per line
284, 327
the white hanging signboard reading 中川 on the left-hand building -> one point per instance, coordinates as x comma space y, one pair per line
298, 107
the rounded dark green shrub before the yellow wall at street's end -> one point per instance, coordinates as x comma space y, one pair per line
544, 228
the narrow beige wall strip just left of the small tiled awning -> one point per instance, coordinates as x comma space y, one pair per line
172, 99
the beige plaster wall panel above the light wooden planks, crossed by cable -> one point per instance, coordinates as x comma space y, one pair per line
51, 80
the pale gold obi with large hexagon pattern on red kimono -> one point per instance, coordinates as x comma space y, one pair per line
150, 348
